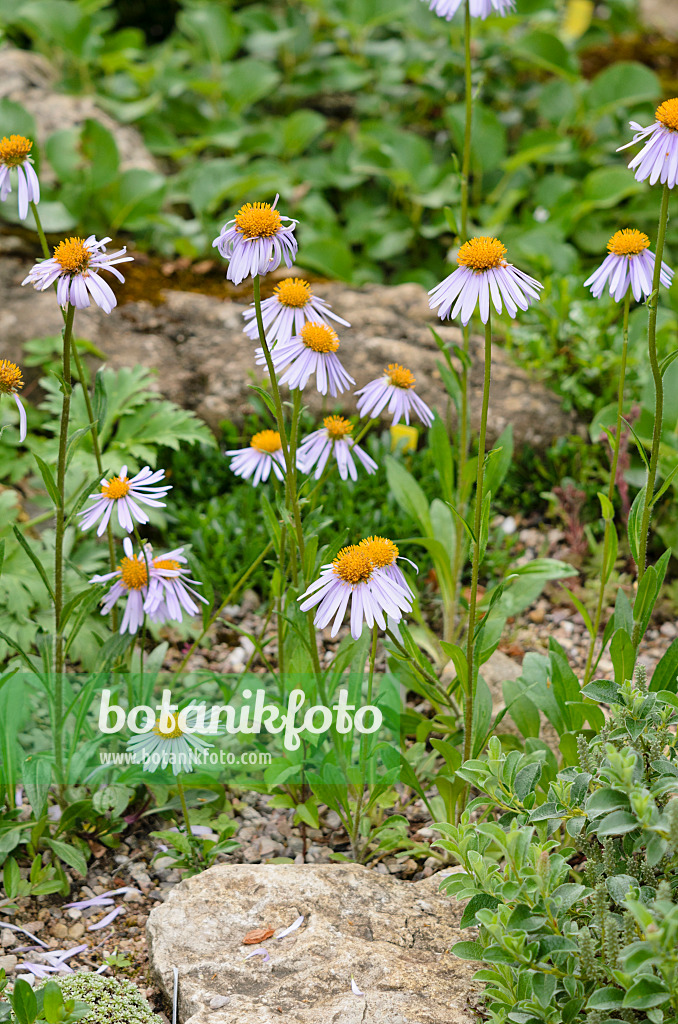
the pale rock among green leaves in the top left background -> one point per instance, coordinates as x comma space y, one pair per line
29, 79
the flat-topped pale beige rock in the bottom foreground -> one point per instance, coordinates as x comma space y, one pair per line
392, 936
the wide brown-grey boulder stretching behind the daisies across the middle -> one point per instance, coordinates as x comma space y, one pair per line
205, 362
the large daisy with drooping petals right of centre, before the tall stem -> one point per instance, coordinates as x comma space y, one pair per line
483, 273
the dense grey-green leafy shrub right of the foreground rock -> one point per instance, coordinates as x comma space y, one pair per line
575, 886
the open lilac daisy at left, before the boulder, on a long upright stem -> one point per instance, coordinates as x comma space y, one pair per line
75, 269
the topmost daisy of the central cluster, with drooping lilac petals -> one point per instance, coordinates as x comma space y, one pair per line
256, 241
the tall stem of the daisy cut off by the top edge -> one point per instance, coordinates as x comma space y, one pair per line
451, 615
